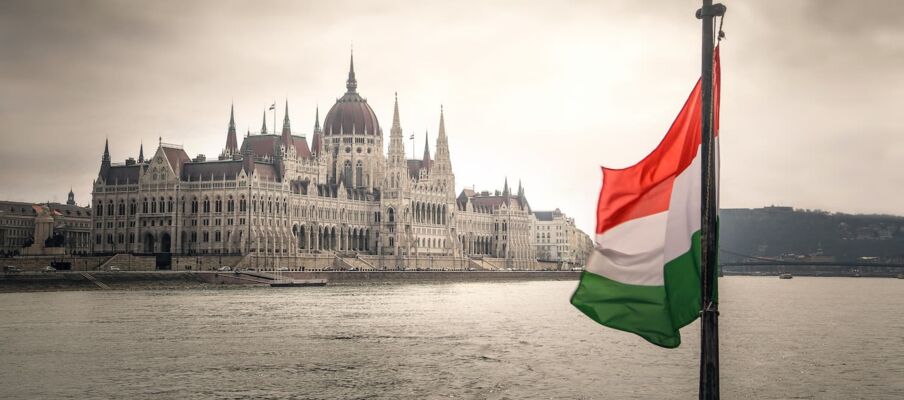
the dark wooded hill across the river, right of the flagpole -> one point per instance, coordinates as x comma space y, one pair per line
782, 231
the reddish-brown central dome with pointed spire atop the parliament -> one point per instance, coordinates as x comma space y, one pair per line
351, 113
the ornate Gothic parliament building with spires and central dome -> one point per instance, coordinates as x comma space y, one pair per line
279, 197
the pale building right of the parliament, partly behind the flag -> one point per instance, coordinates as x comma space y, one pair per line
557, 239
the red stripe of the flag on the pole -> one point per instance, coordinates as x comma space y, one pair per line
645, 188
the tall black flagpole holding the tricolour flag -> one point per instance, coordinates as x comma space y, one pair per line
709, 314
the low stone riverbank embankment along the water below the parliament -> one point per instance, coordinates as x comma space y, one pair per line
164, 280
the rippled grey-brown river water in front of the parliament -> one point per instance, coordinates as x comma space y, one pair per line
837, 338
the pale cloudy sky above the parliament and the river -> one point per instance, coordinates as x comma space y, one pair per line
542, 92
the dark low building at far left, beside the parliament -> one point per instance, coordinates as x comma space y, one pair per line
28, 225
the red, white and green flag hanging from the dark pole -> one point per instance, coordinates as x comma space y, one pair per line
643, 275
